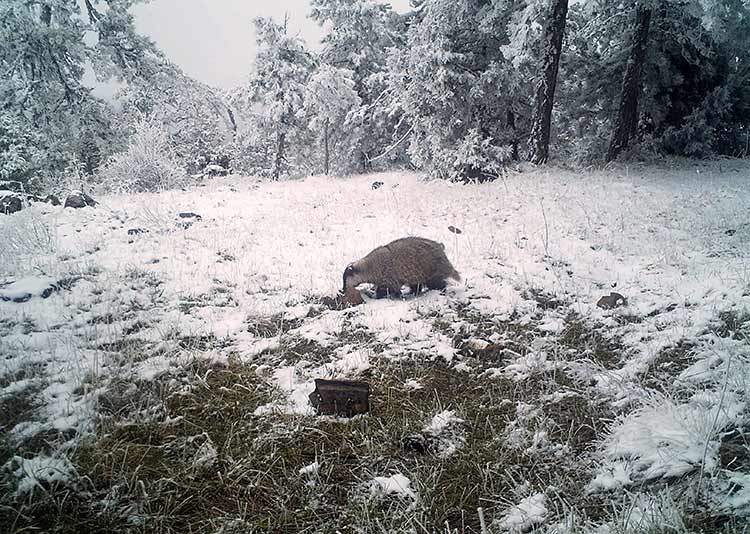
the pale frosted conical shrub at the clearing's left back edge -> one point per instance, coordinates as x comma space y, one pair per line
148, 164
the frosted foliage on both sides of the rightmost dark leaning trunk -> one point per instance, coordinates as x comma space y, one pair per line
695, 86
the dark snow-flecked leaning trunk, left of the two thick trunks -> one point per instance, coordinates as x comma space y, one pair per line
545, 89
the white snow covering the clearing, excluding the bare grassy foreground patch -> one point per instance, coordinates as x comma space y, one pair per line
105, 288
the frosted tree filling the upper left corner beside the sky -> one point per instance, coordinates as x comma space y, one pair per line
44, 48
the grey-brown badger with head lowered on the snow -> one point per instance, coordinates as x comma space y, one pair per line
410, 261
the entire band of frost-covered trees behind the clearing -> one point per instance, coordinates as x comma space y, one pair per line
457, 88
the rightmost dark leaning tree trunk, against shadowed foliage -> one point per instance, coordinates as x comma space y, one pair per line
626, 126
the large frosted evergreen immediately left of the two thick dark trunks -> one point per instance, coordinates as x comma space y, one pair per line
454, 86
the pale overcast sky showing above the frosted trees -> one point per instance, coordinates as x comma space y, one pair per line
214, 40
